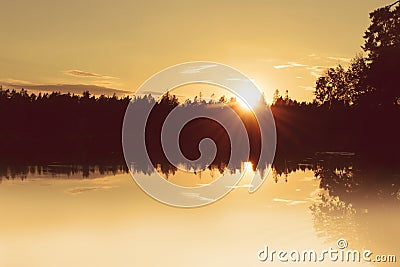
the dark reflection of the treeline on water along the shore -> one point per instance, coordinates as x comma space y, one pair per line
341, 174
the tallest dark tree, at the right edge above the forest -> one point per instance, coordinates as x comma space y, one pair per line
382, 43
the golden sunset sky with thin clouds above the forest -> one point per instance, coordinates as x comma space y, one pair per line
117, 45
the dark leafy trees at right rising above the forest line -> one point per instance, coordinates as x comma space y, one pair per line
373, 81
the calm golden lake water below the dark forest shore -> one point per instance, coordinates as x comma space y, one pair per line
102, 218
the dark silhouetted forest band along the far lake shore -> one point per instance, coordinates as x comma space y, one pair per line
84, 129
